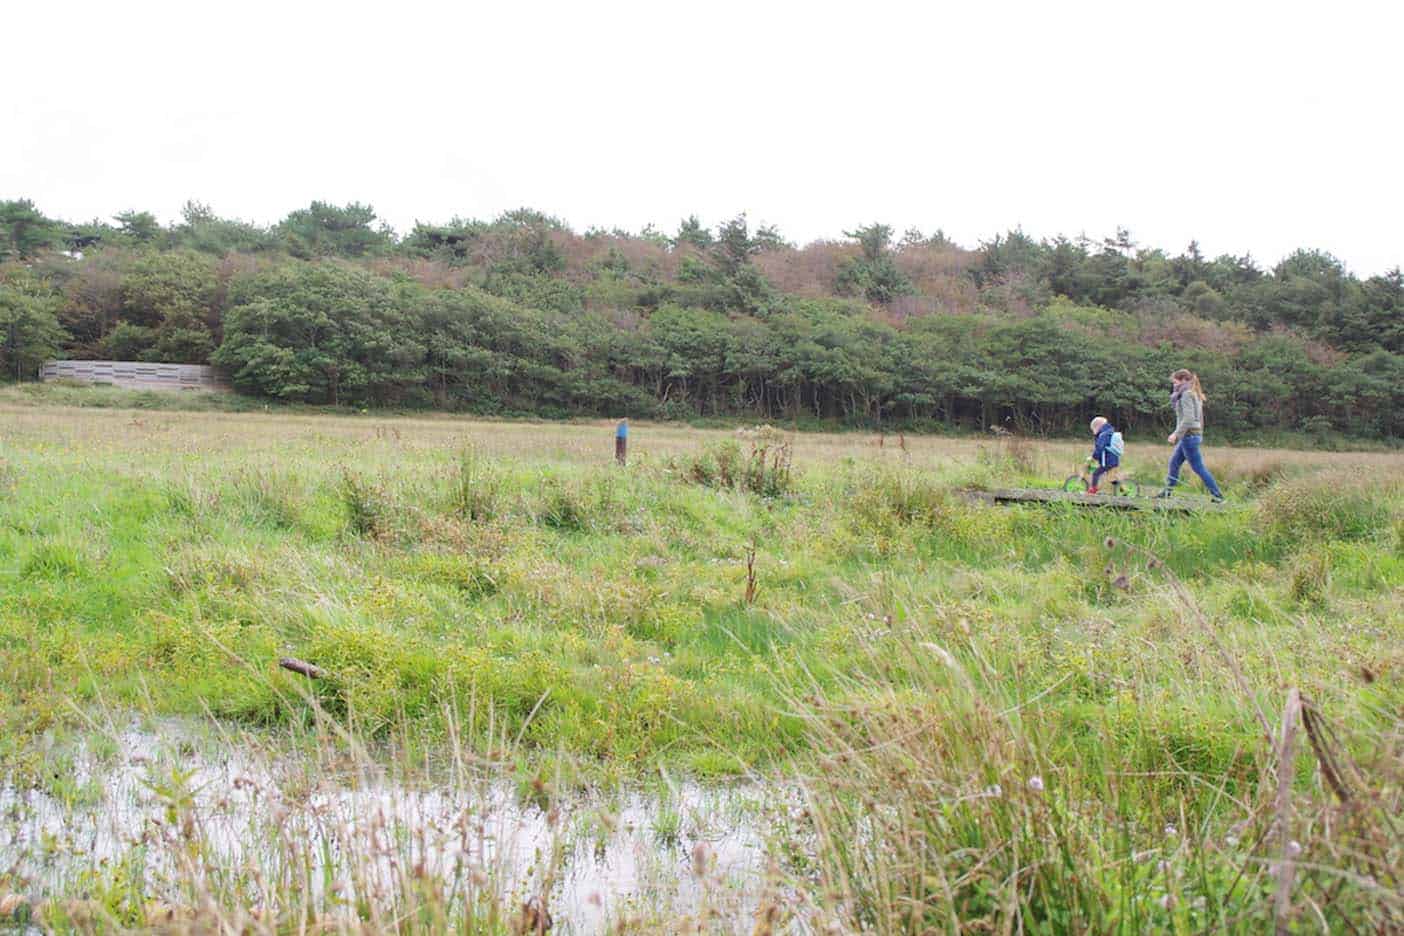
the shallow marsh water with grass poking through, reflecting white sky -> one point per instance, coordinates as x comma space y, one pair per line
133, 803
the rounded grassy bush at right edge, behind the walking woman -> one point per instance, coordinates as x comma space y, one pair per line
1322, 507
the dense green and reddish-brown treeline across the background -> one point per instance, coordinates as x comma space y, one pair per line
522, 315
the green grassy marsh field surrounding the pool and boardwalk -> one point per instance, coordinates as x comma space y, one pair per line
1052, 719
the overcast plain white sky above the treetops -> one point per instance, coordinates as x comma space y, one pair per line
1252, 127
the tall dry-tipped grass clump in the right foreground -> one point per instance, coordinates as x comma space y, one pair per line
950, 801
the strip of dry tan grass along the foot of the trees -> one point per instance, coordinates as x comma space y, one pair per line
581, 443
